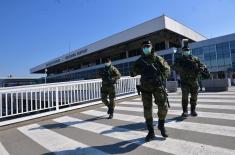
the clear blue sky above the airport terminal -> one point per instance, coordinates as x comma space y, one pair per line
35, 31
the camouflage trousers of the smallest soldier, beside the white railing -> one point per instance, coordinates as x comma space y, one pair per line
108, 91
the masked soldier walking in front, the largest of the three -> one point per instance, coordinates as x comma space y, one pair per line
153, 70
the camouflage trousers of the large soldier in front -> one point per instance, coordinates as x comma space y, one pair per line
160, 101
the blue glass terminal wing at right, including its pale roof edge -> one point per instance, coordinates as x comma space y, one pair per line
218, 54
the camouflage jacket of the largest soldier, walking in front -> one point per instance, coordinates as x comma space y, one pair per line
152, 69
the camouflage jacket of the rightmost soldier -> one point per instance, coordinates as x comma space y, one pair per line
188, 67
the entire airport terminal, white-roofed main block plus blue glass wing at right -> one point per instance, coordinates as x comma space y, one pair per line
125, 47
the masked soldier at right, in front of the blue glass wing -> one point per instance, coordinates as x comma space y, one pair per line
189, 67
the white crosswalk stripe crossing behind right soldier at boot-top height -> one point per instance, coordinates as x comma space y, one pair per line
205, 106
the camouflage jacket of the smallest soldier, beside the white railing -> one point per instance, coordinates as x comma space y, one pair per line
109, 75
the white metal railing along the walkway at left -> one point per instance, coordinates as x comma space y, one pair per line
25, 100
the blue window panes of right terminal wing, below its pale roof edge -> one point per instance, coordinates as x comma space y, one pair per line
217, 57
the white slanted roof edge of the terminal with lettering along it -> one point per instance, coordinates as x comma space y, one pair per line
151, 26
